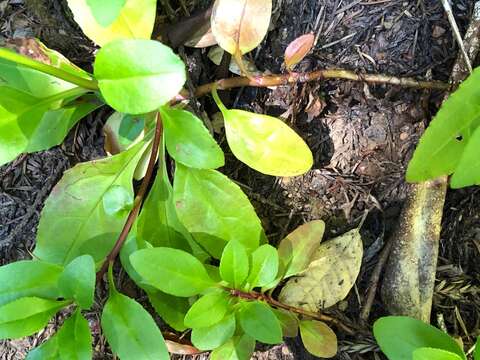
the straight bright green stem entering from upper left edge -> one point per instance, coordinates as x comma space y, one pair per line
48, 69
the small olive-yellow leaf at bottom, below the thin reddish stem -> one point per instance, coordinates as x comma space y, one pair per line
318, 338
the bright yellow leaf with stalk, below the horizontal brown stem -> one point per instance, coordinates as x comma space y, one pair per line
265, 143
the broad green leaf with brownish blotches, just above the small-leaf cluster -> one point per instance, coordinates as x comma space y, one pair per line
208, 203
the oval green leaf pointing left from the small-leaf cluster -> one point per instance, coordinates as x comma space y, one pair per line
172, 271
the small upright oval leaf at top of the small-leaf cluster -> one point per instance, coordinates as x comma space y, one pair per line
234, 264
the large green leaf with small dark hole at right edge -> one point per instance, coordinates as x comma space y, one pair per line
447, 136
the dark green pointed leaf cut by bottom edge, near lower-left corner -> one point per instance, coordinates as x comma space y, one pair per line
75, 339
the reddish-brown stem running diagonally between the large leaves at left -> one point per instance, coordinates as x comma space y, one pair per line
132, 216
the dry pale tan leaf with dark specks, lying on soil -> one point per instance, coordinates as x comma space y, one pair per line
330, 275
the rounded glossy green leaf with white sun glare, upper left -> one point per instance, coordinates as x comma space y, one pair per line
138, 76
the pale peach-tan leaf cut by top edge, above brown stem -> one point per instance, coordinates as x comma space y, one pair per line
240, 25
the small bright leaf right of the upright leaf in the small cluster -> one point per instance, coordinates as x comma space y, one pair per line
264, 266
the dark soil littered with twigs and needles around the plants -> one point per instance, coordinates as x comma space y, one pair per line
362, 138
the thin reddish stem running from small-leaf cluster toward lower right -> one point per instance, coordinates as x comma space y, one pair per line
252, 295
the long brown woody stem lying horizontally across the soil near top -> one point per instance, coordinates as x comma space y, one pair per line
292, 78
